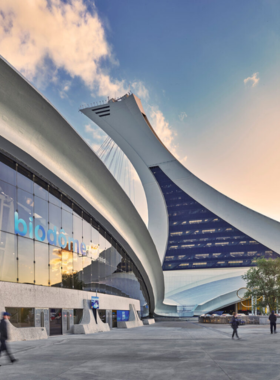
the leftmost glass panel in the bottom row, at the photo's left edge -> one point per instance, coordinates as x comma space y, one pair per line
8, 257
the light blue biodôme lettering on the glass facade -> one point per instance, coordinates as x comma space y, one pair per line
22, 228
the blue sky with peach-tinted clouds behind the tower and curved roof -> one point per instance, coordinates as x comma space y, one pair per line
207, 72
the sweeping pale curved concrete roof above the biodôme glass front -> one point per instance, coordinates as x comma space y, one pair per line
46, 141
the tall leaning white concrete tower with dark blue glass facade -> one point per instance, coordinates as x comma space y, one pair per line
205, 241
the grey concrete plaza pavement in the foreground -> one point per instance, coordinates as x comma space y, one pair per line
165, 350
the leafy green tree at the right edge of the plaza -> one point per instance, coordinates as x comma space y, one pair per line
263, 283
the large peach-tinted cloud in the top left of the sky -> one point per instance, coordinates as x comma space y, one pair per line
43, 36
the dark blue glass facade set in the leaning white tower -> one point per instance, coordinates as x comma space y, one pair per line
200, 239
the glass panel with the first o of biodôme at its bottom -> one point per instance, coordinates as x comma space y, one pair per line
40, 219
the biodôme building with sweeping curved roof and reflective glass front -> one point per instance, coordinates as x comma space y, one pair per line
67, 229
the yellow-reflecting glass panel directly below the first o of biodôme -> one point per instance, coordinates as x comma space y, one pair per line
41, 263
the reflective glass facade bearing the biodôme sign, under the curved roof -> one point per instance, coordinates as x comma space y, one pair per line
46, 239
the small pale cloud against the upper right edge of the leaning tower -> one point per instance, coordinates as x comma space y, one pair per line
163, 129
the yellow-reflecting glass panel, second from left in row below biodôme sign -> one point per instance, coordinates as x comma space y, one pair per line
25, 260
